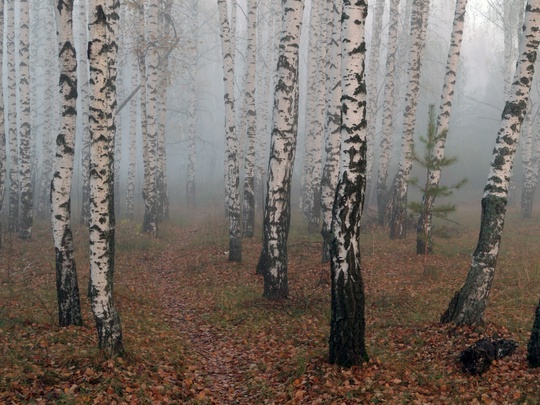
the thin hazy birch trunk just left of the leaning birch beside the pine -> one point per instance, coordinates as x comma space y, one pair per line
388, 115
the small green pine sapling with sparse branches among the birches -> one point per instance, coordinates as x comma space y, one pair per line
429, 161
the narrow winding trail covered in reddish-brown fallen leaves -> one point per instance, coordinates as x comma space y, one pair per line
217, 364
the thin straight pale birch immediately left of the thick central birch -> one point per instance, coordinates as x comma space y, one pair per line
251, 122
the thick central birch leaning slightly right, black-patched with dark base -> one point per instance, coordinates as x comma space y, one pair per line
277, 212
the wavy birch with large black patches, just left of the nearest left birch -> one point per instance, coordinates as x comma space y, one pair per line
67, 288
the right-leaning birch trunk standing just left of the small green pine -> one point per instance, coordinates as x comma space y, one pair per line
419, 21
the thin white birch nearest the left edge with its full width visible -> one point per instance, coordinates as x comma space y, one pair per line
13, 221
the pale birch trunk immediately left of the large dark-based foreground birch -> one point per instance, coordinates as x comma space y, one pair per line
330, 174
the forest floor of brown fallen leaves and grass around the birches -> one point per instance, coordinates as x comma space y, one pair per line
197, 330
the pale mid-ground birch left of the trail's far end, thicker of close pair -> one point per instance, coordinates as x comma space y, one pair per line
151, 11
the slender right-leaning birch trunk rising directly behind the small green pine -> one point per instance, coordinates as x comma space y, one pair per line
424, 243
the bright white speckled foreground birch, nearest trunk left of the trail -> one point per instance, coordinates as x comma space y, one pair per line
102, 53
